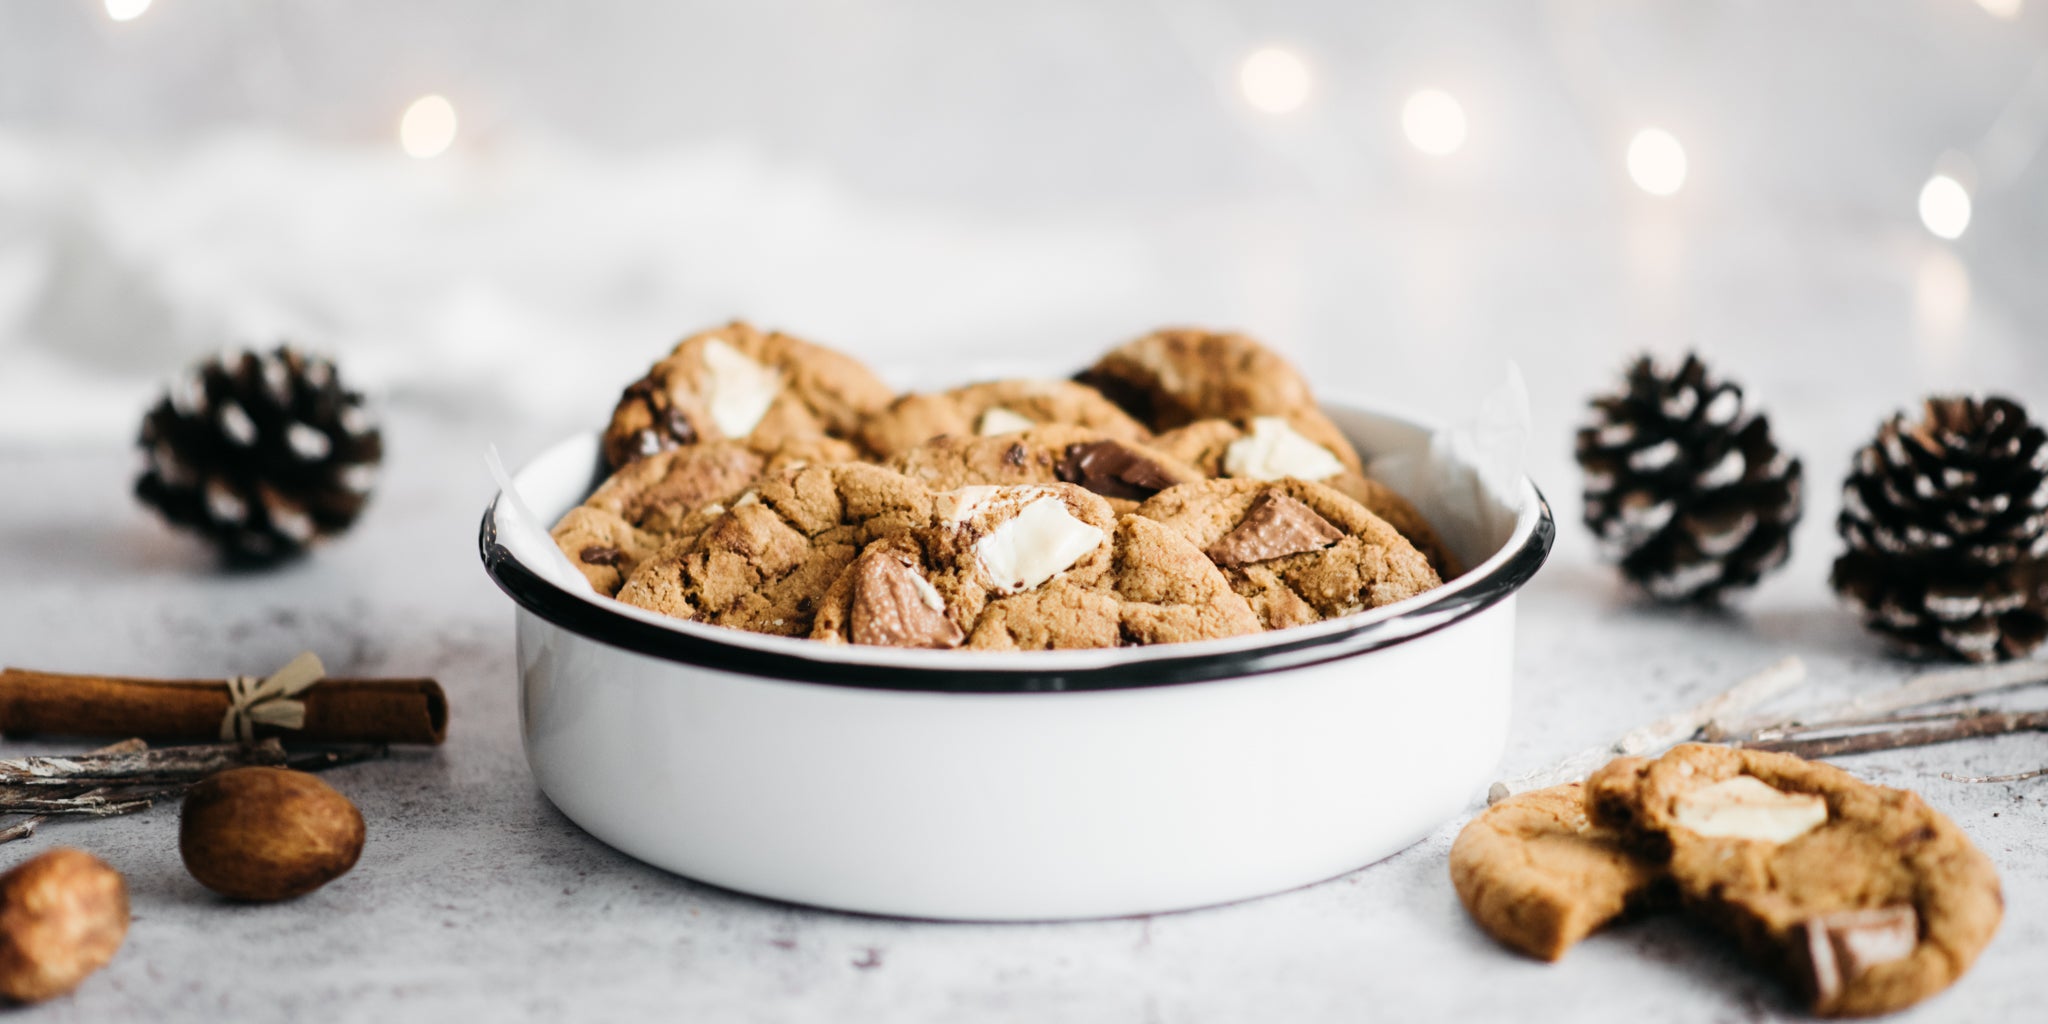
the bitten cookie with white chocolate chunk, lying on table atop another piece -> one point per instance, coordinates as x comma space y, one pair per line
1863, 898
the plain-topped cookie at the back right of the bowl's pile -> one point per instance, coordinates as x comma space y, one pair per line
1179, 376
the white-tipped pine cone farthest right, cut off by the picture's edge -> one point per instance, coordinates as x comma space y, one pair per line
1947, 523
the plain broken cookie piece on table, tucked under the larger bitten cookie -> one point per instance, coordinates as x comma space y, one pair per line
1539, 876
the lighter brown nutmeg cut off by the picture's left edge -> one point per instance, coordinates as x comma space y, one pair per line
62, 916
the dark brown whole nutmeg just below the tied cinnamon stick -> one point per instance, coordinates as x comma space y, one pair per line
267, 835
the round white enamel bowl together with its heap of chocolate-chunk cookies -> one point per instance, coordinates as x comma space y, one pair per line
1156, 636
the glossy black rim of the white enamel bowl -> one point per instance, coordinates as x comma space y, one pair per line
603, 626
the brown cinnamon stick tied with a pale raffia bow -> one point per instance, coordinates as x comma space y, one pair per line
337, 712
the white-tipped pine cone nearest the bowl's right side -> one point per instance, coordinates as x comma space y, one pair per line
1687, 488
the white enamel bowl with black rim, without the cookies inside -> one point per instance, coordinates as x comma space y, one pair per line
1021, 785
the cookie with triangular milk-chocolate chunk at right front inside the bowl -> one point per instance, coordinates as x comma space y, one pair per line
1299, 552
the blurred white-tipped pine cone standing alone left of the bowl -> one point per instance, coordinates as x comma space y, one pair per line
261, 454
